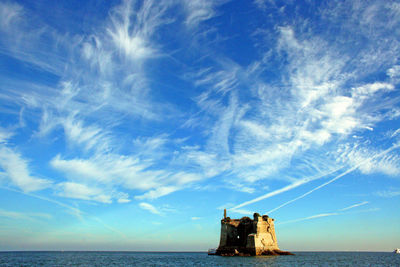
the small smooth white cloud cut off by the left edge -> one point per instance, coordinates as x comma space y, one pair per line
17, 171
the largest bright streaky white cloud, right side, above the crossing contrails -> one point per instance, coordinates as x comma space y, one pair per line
310, 111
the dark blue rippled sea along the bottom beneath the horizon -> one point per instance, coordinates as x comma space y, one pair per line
195, 259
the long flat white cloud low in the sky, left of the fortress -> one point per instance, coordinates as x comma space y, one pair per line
109, 170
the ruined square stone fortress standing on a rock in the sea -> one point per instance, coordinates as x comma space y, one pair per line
248, 237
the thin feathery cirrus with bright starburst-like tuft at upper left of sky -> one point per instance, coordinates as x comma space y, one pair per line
110, 82
